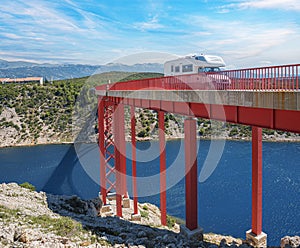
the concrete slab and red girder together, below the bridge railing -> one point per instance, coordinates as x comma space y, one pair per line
268, 109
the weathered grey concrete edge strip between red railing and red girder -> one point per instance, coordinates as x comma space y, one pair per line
283, 100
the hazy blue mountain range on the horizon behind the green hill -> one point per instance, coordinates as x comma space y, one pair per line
65, 71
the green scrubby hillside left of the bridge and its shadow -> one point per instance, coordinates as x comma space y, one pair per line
32, 113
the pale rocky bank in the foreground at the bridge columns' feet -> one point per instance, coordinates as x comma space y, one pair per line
37, 219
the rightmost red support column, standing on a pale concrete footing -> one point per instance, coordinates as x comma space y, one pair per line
256, 180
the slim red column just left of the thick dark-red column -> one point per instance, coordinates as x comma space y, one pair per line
162, 160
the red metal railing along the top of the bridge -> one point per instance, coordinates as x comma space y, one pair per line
274, 78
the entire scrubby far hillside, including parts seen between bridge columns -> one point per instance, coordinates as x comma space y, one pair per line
34, 114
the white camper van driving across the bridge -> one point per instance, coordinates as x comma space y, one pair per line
193, 64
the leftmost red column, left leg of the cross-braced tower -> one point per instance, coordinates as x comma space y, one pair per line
101, 140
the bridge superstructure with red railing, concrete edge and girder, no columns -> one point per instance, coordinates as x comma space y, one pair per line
264, 97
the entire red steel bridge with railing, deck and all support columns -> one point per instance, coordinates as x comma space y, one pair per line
267, 97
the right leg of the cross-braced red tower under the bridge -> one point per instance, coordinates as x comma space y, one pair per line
120, 155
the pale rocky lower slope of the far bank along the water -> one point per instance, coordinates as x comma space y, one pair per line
12, 134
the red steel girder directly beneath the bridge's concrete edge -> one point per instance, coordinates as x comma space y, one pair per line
286, 120
